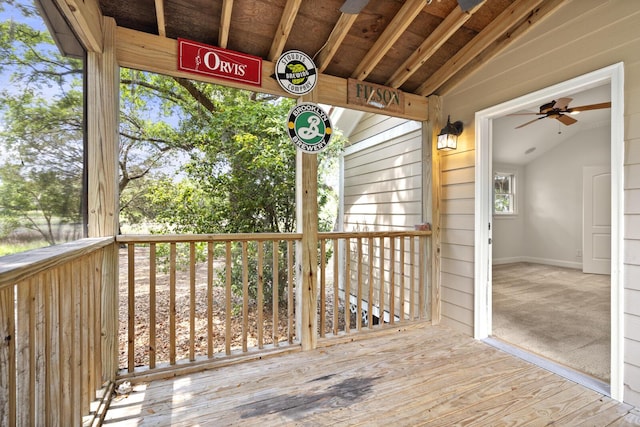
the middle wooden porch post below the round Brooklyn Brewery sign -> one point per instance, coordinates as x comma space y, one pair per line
307, 253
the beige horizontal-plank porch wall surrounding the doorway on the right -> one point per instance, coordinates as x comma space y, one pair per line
593, 35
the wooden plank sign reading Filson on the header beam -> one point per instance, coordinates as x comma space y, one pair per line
376, 96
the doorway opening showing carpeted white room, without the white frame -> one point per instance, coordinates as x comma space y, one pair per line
547, 177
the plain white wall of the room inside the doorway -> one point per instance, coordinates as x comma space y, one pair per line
548, 226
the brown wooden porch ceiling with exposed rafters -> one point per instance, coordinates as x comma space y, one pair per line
420, 46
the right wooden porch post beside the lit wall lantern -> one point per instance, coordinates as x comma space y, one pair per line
431, 129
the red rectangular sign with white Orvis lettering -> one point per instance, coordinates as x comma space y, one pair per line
213, 61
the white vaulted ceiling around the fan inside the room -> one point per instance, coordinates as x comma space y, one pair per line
510, 145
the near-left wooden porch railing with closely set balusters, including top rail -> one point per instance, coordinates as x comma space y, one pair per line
50, 330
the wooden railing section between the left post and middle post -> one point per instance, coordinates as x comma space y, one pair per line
191, 299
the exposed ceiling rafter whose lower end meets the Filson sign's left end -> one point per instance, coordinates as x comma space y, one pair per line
405, 16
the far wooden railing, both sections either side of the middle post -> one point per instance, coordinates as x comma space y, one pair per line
189, 300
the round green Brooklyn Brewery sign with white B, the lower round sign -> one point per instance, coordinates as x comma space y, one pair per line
309, 127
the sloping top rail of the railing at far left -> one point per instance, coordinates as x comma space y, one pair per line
17, 267
